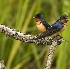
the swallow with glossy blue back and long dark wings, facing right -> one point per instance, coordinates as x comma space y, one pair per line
56, 28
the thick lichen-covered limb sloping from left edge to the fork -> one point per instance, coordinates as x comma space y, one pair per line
16, 34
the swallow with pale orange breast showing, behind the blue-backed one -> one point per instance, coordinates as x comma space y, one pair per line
41, 24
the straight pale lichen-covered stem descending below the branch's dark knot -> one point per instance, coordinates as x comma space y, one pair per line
50, 54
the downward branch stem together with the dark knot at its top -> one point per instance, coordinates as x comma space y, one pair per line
52, 50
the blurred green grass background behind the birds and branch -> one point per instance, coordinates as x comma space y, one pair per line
19, 14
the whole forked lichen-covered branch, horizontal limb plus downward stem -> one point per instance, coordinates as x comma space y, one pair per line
27, 38
